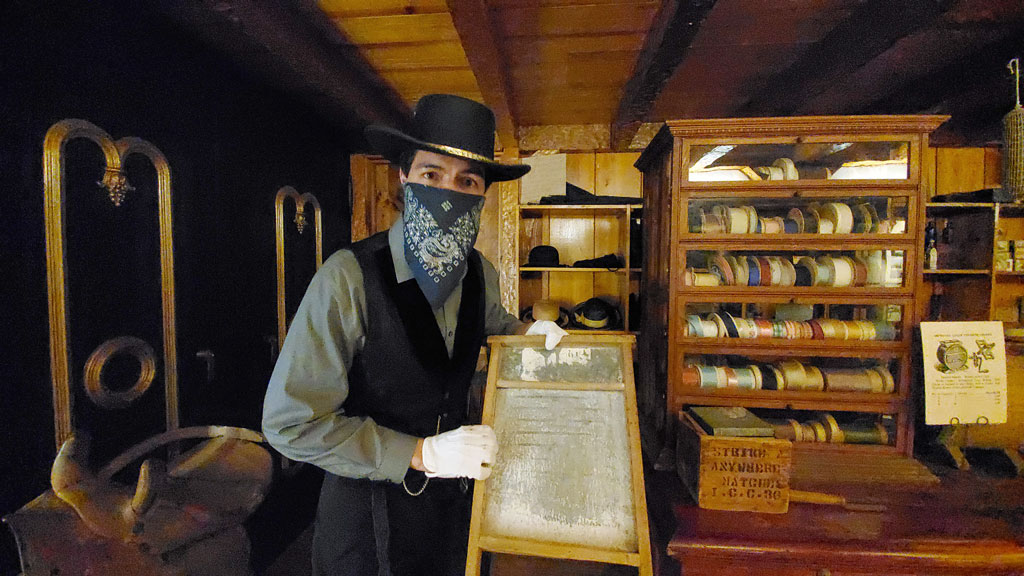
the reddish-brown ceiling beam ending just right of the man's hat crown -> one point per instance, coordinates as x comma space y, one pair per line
473, 22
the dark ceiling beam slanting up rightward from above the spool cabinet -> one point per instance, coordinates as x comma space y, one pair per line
870, 31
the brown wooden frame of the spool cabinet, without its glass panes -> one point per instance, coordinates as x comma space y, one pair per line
666, 166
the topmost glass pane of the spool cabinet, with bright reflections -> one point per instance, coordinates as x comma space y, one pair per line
805, 161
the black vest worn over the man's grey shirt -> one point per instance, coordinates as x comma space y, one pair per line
403, 378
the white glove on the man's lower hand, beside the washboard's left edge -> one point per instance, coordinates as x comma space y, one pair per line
464, 452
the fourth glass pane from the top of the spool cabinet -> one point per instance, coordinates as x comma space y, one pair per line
760, 321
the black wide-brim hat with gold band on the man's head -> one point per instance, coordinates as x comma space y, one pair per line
451, 126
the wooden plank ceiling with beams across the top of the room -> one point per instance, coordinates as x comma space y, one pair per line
613, 69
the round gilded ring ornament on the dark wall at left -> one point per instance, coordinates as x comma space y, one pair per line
106, 397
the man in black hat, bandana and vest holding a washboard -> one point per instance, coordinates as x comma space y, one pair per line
372, 382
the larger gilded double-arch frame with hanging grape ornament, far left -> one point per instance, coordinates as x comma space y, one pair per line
116, 184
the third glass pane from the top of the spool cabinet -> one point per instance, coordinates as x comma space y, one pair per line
795, 269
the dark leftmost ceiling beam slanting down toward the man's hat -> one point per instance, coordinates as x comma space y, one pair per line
294, 47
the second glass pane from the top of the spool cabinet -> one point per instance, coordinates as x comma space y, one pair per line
771, 217
